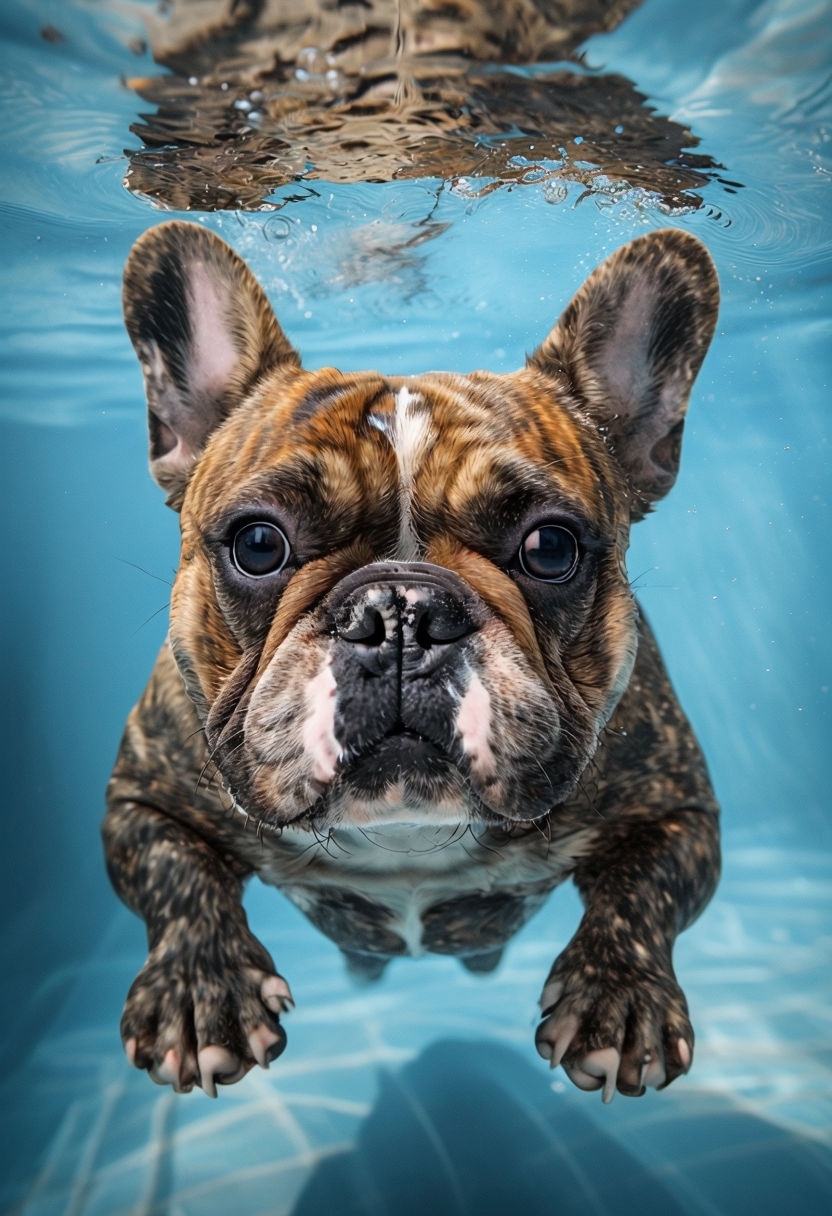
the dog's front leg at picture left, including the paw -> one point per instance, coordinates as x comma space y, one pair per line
206, 1005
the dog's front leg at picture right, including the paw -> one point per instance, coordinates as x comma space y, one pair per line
614, 1015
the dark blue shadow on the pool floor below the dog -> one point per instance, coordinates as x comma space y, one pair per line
474, 1129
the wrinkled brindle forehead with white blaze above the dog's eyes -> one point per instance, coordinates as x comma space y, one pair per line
442, 443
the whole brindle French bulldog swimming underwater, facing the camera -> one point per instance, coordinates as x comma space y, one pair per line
406, 679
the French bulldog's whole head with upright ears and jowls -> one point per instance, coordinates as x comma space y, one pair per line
406, 599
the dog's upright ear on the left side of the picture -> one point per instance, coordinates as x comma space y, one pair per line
205, 334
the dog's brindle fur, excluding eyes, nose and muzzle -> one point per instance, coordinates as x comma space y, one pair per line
638, 830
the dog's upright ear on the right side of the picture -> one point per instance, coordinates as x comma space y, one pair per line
629, 347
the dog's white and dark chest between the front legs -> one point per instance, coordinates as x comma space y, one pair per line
404, 891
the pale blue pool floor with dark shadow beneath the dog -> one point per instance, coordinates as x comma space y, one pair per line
425, 1093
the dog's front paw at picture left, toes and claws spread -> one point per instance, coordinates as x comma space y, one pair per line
204, 1012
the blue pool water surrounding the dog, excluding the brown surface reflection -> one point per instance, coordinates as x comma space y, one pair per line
425, 1094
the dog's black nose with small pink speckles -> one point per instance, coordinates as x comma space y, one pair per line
406, 616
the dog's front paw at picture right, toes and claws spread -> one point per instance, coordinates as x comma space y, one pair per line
615, 1026
